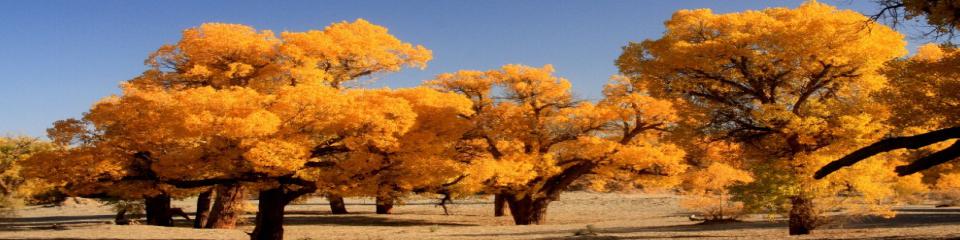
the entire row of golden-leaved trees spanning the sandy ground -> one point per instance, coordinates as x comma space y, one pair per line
736, 110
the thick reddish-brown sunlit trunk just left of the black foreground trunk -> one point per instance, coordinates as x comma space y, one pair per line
227, 208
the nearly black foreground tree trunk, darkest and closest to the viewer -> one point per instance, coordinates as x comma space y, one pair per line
269, 223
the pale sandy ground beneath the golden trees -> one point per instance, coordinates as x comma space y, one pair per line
612, 216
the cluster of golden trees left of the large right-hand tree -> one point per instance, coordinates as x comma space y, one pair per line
229, 110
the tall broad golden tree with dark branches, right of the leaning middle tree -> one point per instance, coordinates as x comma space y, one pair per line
791, 85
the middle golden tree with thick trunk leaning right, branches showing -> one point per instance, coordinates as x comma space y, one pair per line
533, 139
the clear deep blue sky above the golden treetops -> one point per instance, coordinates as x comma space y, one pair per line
59, 57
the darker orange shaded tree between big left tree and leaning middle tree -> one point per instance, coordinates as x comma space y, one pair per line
424, 158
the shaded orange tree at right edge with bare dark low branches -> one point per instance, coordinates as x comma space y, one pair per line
922, 94
